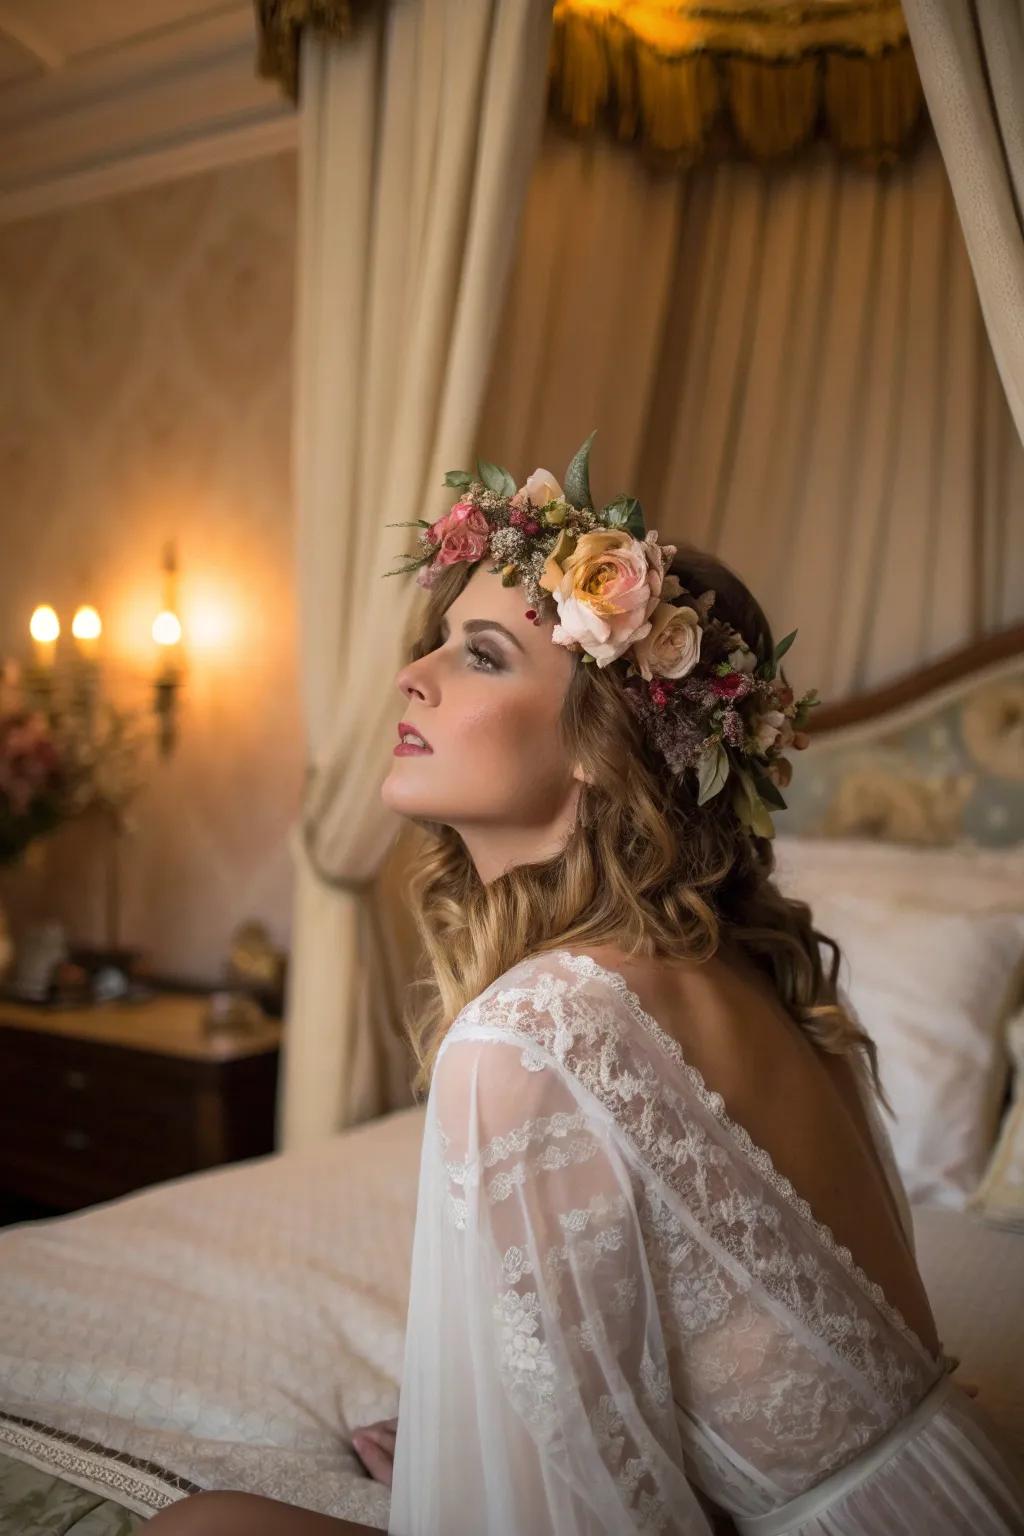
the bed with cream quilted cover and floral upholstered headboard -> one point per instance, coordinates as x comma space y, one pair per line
233, 1328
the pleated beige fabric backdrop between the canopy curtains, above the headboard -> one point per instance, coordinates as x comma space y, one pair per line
790, 369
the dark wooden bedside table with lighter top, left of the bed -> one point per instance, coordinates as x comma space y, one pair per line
97, 1102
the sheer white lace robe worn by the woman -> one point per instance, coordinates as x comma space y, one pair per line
616, 1300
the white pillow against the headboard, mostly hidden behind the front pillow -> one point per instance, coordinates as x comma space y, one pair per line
959, 879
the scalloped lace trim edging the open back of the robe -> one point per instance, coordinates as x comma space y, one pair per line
586, 965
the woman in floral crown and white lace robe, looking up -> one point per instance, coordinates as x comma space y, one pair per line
664, 1271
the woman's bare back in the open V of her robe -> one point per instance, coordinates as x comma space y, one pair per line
796, 1101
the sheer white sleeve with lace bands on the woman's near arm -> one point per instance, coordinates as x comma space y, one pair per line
537, 1391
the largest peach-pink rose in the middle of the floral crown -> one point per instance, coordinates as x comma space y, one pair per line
603, 586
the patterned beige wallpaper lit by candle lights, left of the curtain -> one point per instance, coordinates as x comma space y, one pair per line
145, 392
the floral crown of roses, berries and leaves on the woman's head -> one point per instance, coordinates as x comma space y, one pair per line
709, 701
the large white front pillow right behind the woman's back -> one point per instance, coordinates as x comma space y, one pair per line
936, 991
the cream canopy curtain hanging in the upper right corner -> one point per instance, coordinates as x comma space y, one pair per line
971, 55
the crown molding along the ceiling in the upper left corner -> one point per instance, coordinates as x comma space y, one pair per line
167, 105
